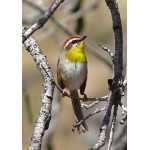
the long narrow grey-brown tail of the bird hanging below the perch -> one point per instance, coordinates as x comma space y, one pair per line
78, 111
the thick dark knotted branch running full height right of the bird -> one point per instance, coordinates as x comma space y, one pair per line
114, 84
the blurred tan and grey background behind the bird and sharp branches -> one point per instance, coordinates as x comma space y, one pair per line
83, 17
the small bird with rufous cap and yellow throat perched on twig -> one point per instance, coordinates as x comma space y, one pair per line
72, 74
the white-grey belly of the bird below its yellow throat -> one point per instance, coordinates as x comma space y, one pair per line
73, 74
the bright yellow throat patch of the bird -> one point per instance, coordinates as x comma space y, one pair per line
76, 54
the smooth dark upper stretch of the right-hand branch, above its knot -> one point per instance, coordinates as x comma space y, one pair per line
117, 27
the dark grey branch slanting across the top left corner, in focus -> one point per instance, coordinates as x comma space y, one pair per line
40, 23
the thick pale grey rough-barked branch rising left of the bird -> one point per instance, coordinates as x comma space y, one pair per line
42, 123
